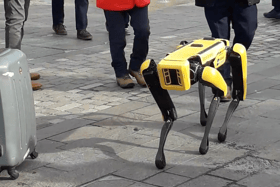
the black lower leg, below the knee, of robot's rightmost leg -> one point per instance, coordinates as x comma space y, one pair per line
222, 135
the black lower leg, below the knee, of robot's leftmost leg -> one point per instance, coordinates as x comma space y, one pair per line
160, 158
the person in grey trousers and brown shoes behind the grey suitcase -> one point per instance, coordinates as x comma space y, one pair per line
16, 13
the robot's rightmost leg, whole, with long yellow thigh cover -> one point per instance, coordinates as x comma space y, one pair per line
238, 62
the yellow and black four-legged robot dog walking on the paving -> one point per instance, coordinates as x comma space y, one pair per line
193, 62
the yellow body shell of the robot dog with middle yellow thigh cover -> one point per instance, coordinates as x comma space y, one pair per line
174, 70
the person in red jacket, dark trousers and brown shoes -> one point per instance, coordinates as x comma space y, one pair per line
115, 12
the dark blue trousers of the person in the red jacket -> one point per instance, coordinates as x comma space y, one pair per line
116, 27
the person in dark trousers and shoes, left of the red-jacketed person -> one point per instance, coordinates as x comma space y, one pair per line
81, 9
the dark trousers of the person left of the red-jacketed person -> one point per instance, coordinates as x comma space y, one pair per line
81, 8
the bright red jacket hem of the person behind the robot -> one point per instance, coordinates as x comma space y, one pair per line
120, 5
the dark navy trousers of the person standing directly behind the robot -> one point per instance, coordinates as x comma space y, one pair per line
244, 24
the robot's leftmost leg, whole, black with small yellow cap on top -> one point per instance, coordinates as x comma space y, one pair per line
165, 104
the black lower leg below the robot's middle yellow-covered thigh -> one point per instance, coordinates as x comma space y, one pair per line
204, 146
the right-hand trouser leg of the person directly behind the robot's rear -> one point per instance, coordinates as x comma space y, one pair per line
244, 23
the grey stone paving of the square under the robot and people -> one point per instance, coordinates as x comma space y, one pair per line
92, 133
